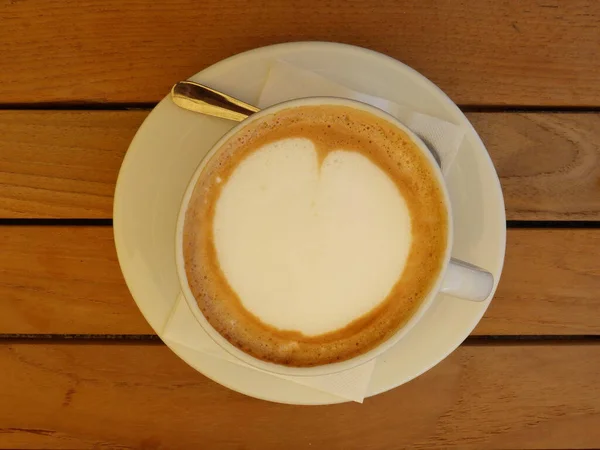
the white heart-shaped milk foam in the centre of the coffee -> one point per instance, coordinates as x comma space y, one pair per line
307, 245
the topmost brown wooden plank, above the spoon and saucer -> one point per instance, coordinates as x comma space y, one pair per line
480, 52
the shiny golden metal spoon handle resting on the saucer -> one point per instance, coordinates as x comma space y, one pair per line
199, 98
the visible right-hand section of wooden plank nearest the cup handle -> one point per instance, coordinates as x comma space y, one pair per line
550, 284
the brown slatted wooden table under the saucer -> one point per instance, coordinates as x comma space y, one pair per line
79, 366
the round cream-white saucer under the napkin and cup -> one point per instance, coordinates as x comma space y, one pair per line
170, 144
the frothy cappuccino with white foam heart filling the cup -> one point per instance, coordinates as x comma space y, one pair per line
313, 234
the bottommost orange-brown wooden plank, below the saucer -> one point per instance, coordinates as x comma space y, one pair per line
111, 396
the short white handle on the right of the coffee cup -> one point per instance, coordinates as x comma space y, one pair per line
467, 281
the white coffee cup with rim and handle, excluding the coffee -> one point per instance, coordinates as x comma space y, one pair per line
457, 278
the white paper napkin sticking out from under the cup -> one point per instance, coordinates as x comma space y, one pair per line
287, 82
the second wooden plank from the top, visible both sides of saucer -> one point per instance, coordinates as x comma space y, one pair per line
64, 163
